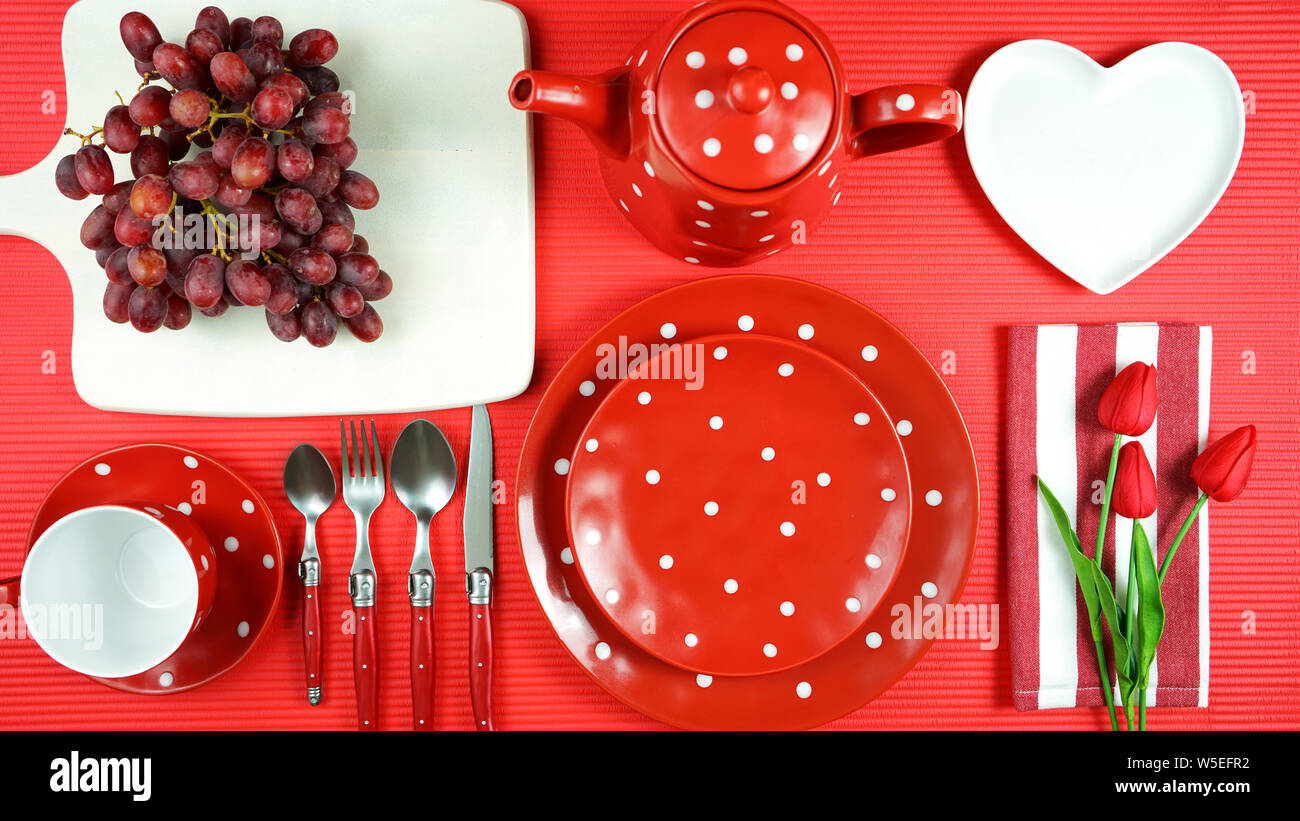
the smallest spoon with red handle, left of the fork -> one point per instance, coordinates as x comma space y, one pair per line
310, 486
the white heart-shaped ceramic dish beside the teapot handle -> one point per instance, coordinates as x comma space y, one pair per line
1104, 171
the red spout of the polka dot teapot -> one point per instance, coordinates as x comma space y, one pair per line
596, 105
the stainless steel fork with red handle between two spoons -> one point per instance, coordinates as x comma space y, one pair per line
363, 492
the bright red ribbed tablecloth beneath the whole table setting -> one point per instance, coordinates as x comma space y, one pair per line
913, 238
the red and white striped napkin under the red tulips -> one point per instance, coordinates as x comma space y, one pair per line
1056, 376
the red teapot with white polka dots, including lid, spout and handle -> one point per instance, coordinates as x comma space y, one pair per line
726, 134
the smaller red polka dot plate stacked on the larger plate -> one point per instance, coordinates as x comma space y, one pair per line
739, 505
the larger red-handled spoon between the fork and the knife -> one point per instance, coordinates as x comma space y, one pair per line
424, 477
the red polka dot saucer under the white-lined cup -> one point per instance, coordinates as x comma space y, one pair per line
237, 522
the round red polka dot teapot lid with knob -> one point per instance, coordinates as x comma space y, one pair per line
746, 99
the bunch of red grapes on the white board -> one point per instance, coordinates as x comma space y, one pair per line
262, 215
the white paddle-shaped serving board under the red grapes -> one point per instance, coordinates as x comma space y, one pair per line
454, 227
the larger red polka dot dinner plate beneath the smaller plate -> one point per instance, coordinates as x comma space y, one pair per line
941, 544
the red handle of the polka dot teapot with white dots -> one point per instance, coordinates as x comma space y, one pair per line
903, 116
